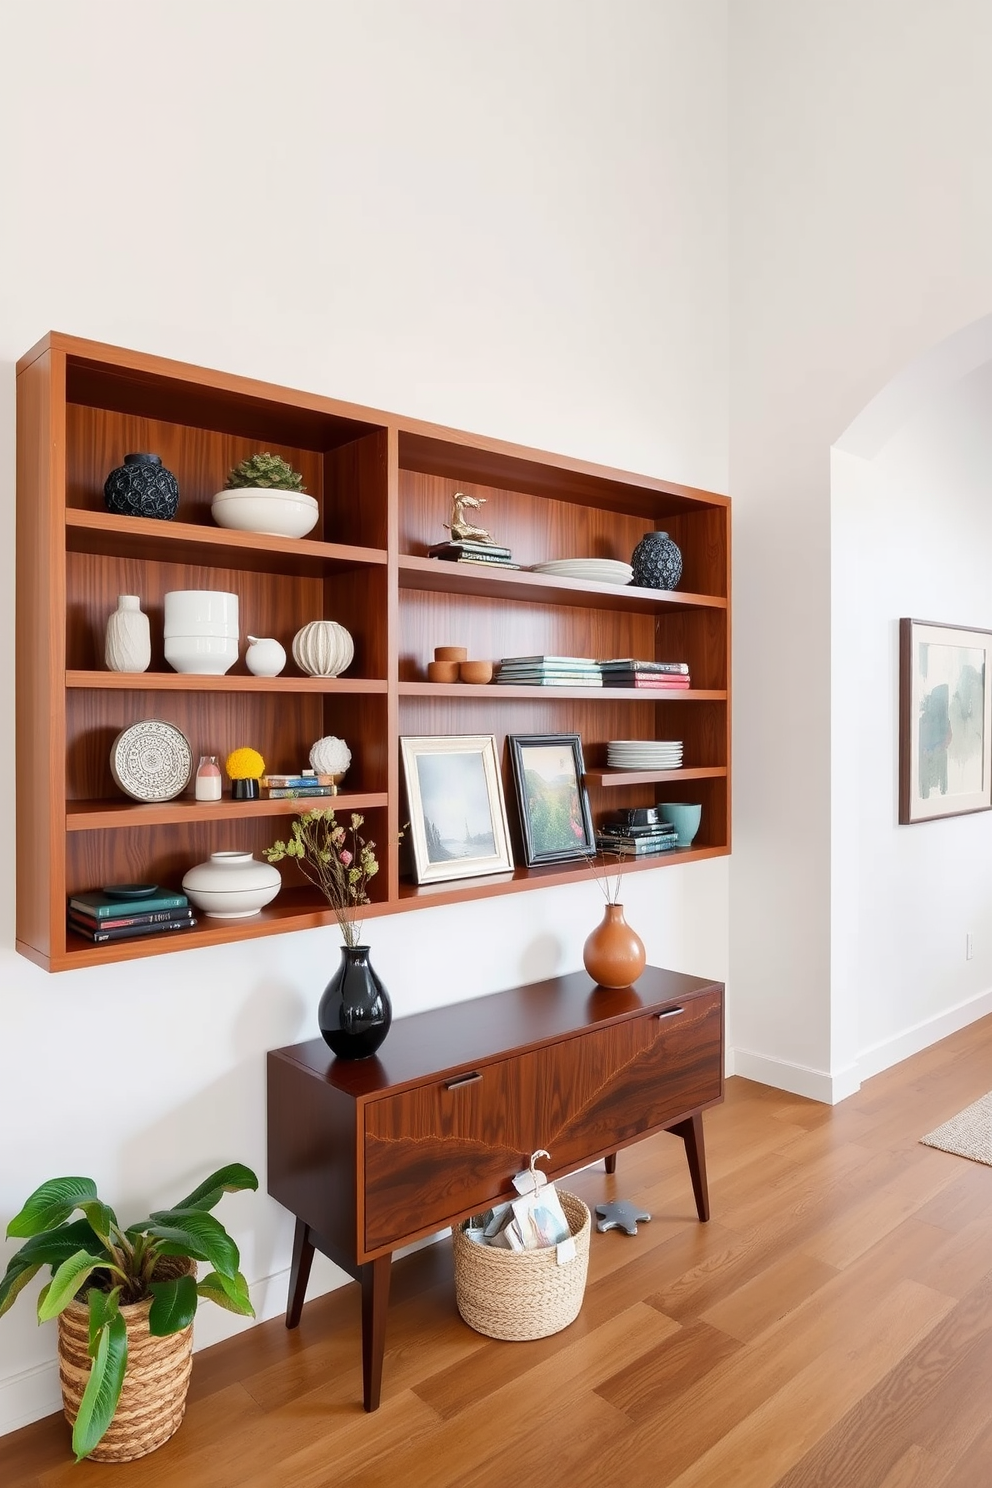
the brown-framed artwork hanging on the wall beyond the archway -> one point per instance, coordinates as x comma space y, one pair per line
945, 754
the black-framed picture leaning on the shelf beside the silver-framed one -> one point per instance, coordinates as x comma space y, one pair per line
551, 798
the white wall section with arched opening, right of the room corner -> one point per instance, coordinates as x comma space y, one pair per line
862, 234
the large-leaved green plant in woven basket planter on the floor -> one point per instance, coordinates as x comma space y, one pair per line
126, 1301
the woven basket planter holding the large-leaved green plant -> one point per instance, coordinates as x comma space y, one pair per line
155, 1383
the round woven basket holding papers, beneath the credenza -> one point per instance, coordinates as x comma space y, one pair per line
518, 1295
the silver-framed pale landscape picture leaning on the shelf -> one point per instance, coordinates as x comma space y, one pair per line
459, 827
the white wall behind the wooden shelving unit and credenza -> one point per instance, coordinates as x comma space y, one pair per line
505, 218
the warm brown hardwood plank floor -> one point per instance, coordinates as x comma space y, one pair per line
829, 1328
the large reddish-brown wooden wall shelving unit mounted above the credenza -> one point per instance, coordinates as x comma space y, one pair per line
384, 489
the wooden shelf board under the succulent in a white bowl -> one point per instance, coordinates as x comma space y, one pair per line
151, 541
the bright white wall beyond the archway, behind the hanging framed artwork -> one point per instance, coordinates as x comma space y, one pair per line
912, 529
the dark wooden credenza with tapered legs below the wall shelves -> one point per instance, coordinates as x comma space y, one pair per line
374, 1154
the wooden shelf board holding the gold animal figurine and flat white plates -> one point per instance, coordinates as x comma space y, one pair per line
492, 583
